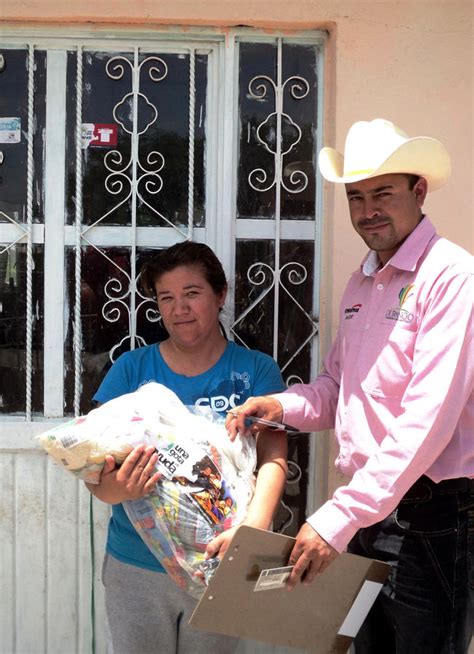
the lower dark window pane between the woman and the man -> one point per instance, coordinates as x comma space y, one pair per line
255, 285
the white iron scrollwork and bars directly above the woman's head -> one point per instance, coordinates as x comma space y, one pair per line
134, 179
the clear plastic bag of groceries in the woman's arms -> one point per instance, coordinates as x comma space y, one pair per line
207, 480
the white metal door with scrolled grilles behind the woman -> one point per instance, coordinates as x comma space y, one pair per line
110, 148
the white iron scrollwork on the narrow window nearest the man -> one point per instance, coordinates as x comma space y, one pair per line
279, 134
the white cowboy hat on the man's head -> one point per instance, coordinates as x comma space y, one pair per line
379, 147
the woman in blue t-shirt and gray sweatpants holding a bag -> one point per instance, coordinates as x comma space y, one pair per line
146, 611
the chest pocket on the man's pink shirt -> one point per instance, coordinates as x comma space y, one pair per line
386, 362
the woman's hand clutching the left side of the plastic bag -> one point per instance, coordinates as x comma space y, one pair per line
135, 478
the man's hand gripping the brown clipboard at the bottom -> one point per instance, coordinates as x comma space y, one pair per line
310, 556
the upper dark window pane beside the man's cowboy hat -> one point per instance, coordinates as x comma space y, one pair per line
259, 131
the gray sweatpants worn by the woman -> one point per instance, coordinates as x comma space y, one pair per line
148, 614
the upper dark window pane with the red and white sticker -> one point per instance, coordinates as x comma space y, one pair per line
153, 178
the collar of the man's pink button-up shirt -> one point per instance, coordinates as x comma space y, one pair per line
408, 254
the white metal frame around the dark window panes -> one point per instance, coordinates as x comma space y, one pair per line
221, 230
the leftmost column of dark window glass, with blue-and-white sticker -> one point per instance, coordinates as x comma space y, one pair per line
15, 103
